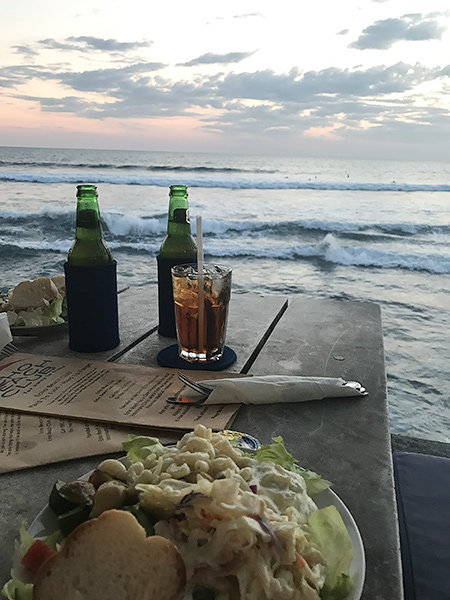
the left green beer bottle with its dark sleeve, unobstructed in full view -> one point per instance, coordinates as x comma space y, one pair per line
91, 281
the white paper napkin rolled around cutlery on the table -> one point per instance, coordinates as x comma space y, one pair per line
271, 389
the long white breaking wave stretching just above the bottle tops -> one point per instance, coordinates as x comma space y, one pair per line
260, 183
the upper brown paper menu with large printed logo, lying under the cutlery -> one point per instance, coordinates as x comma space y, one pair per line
114, 393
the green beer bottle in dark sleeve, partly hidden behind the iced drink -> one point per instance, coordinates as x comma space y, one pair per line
178, 247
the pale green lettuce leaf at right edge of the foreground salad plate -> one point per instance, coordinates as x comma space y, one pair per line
330, 536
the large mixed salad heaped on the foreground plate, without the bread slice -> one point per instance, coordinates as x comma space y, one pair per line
245, 523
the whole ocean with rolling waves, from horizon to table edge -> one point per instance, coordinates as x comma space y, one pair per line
361, 230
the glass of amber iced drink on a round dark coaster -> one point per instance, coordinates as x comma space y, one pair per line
201, 311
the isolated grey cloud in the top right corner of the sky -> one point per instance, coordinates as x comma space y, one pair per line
411, 27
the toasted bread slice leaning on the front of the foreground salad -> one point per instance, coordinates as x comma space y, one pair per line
110, 558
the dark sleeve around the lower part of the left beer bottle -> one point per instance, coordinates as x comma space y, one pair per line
92, 307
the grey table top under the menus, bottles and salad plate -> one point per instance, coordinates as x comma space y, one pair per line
347, 441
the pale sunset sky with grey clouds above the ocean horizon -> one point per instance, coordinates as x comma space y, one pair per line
328, 78
